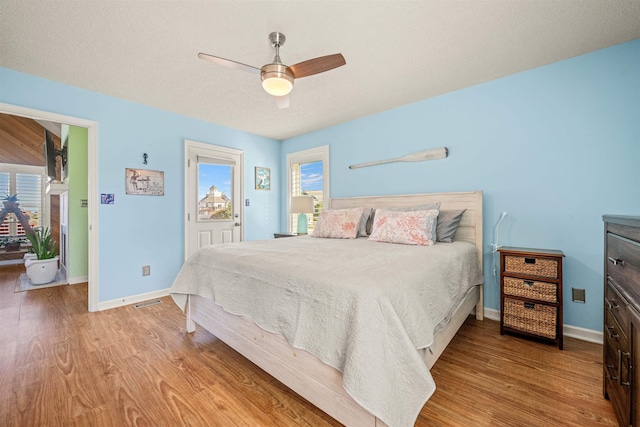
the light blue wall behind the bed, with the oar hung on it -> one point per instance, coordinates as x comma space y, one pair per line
556, 147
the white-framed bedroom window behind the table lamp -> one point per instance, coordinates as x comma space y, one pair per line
308, 174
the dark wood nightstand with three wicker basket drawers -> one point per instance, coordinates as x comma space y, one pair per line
531, 293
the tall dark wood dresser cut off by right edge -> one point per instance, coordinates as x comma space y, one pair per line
621, 353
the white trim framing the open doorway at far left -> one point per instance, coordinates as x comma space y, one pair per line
92, 128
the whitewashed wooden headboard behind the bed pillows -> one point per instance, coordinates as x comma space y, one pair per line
470, 229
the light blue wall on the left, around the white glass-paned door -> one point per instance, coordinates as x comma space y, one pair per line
146, 230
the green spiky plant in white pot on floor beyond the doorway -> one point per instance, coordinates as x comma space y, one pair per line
44, 267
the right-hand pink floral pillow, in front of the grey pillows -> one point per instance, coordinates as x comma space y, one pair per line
408, 228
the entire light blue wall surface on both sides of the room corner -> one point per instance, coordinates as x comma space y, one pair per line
556, 147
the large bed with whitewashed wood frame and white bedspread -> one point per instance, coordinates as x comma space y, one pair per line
338, 379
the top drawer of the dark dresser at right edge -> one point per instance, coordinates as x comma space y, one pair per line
623, 260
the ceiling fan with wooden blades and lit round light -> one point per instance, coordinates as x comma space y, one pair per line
277, 78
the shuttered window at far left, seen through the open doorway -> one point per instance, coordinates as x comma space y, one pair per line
28, 183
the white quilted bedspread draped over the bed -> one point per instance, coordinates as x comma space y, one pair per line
360, 306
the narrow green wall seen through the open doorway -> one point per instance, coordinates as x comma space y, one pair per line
77, 155
